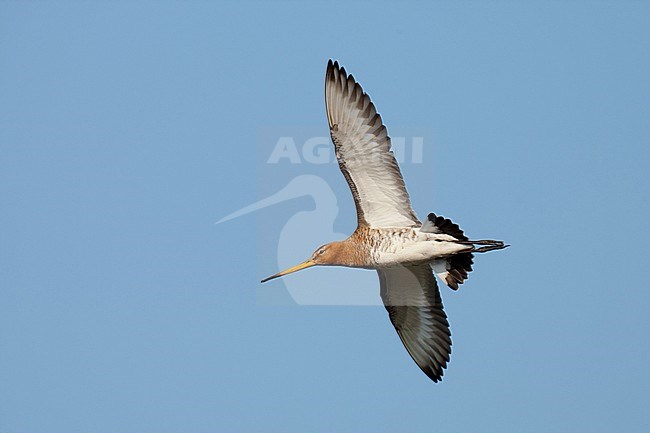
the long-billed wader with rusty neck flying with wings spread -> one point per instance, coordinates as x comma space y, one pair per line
389, 238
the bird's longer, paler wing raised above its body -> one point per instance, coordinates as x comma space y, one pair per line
363, 150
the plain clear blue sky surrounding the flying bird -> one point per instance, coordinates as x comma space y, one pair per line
128, 128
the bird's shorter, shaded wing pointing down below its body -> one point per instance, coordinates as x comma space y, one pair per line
411, 296
